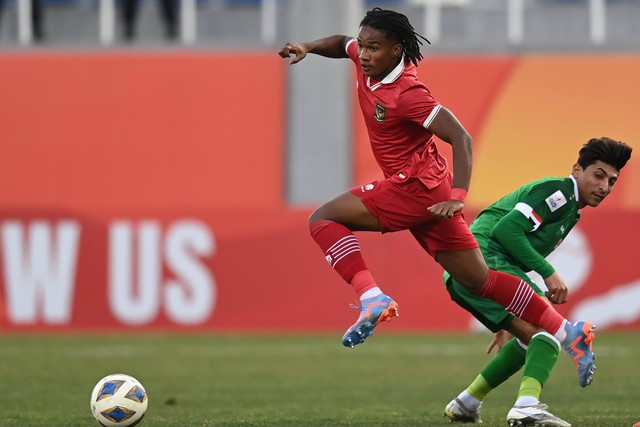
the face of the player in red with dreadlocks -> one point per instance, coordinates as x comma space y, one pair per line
378, 55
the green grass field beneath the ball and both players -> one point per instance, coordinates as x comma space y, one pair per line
286, 380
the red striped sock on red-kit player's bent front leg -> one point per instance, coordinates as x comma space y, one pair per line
342, 251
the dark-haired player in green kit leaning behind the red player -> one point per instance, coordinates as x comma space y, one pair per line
515, 234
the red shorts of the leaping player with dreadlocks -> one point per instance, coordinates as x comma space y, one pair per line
401, 204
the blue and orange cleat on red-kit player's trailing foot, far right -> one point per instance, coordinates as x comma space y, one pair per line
580, 336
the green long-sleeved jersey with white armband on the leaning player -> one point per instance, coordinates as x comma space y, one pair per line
546, 210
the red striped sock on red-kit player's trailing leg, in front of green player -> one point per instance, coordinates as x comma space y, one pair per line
520, 299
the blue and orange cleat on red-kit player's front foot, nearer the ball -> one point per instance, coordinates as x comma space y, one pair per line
376, 309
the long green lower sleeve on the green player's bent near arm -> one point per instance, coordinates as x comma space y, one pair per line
510, 232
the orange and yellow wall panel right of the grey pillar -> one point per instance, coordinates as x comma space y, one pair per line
529, 116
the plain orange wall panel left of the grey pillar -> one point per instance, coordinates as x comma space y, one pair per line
104, 132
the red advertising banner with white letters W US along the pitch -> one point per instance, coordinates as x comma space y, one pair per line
260, 270
